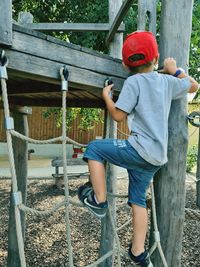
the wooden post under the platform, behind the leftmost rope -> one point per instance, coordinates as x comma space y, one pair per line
20, 148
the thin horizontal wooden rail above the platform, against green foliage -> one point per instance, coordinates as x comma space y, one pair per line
75, 27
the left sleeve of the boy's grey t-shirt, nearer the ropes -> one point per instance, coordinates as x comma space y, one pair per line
128, 97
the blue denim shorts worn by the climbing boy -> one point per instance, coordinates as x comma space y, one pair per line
121, 153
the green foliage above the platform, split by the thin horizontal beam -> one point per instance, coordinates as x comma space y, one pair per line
76, 11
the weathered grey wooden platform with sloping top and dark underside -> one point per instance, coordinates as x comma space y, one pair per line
34, 63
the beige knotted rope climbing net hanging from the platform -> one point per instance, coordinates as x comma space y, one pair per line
117, 250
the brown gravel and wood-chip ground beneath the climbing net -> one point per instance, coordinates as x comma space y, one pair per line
46, 237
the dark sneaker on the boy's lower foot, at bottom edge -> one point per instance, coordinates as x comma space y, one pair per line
143, 260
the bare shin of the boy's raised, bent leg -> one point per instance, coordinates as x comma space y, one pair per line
97, 177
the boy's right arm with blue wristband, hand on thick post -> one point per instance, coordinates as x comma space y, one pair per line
170, 67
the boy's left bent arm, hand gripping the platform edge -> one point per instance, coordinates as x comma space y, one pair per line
116, 114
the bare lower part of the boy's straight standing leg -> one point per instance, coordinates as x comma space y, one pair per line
140, 220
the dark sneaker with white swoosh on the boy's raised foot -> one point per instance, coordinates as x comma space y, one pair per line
86, 196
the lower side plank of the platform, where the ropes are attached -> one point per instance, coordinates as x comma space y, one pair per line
39, 69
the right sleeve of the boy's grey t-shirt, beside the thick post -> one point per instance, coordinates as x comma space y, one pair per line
180, 87
